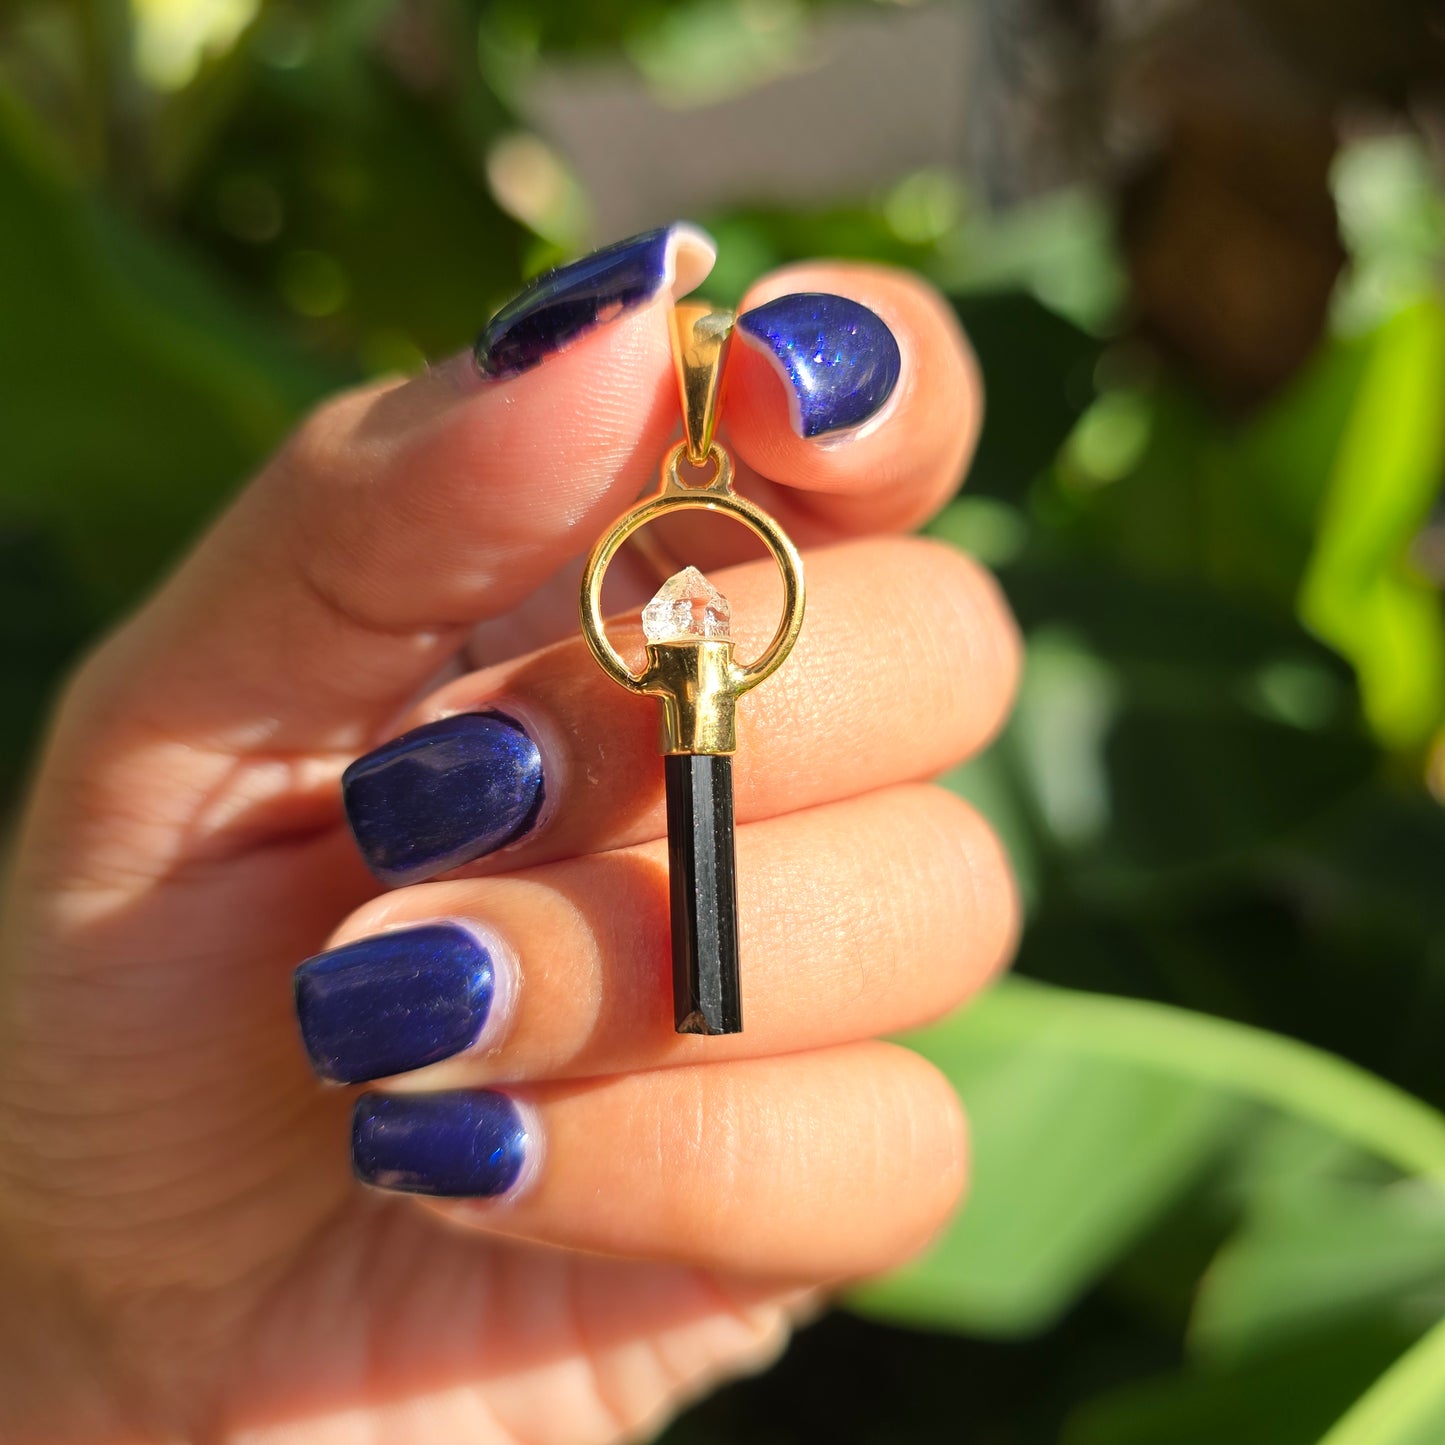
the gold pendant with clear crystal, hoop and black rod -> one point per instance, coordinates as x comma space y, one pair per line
699, 681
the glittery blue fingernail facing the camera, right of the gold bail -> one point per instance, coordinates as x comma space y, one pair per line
839, 358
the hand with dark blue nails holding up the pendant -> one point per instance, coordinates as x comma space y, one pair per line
184, 1251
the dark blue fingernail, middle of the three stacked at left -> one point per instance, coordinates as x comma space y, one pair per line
400, 1001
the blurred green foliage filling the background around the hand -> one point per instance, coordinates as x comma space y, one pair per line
1210, 1152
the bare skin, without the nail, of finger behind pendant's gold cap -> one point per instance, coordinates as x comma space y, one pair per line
907, 664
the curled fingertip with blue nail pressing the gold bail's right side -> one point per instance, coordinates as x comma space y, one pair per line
853, 401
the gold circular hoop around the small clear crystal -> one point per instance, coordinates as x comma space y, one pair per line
713, 496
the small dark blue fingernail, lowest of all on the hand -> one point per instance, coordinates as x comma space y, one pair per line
465, 1144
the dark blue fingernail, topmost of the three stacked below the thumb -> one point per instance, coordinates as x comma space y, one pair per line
444, 795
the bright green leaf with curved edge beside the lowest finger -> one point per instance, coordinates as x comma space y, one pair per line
1089, 1116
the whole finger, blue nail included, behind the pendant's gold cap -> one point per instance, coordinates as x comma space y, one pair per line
907, 664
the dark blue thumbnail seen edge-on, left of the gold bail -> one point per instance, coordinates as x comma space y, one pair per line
569, 303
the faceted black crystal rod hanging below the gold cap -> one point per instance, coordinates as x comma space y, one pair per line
707, 992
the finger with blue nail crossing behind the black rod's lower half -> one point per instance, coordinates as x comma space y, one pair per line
859, 918
